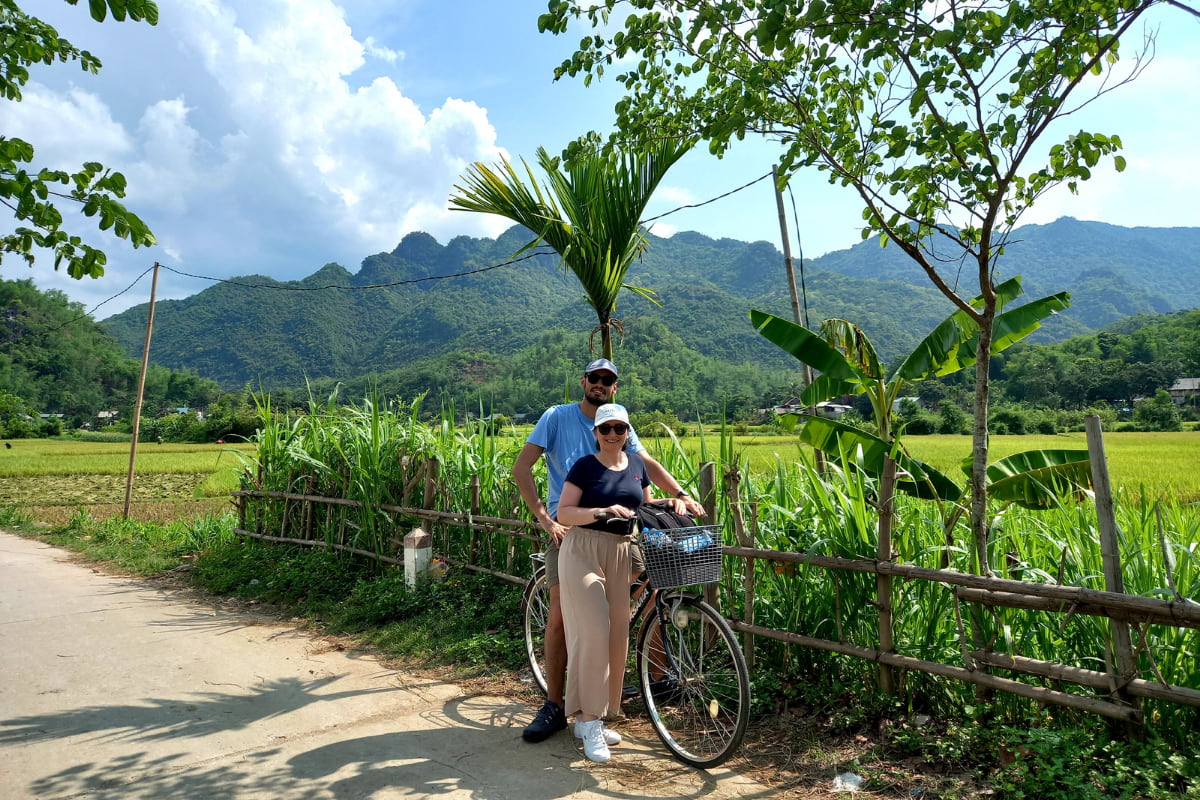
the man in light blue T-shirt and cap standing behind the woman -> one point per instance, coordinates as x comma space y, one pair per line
563, 436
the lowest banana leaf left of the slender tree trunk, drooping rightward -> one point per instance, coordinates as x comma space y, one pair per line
914, 477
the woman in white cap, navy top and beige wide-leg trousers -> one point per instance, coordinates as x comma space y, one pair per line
599, 501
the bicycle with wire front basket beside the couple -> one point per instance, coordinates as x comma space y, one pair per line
692, 673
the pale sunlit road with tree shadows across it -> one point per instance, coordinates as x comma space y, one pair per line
115, 688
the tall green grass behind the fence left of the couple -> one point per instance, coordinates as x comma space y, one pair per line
379, 454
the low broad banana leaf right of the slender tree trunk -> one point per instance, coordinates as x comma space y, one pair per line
1039, 479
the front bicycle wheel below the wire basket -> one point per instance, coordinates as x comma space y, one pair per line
695, 682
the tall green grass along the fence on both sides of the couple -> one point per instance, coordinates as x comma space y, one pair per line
379, 454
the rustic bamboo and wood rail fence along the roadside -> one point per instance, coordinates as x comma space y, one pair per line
1117, 693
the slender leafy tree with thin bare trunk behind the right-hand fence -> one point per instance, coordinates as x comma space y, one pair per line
934, 115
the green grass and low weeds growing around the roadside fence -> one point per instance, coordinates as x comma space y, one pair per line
935, 721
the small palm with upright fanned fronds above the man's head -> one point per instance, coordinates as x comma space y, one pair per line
590, 214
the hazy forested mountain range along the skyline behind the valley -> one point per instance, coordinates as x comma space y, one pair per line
278, 338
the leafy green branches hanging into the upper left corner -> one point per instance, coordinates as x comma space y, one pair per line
32, 195
